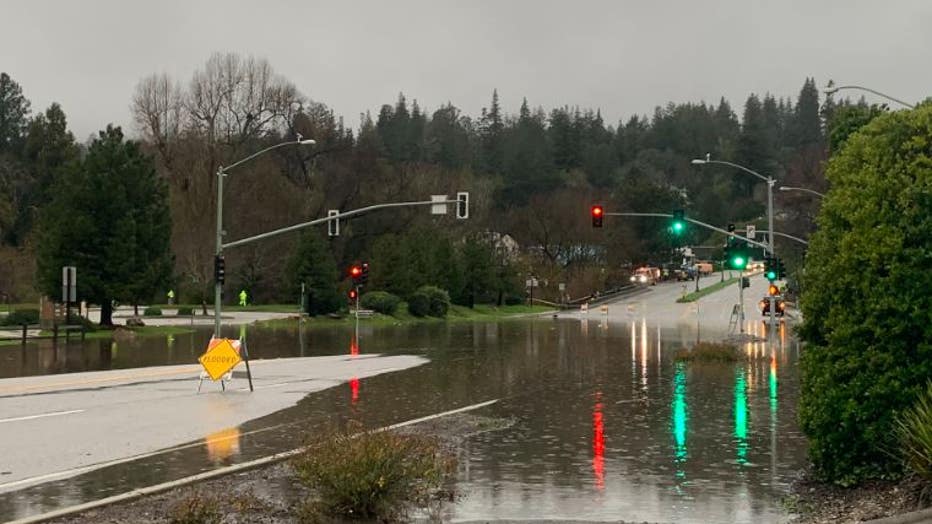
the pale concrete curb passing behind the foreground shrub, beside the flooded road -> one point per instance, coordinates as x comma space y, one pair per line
207, 475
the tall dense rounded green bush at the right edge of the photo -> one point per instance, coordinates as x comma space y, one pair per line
866, 297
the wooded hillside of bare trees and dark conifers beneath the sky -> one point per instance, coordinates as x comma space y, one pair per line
532, 176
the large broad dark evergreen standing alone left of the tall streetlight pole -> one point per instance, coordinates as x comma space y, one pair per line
109, 217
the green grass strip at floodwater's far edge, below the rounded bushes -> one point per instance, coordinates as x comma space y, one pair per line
481, 312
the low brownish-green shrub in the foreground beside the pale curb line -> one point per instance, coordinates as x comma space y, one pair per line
373, 474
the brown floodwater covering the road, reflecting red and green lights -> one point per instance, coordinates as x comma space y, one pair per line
606, 425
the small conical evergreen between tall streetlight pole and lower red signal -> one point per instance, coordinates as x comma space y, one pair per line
313, 264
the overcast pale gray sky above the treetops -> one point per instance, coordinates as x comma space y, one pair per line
625, 57
